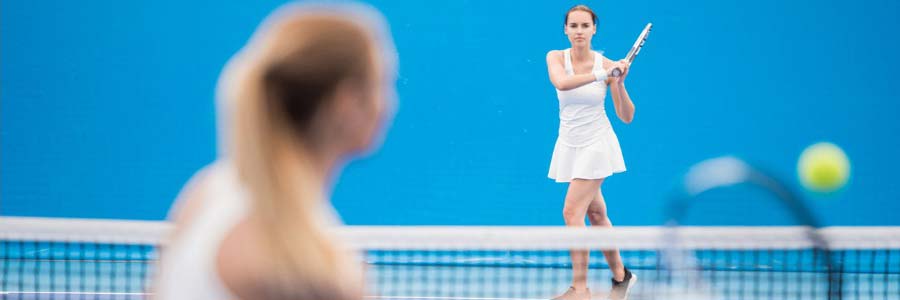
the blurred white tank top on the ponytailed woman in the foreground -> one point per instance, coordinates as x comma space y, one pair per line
188, 266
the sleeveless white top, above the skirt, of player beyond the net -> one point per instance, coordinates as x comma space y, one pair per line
582, 117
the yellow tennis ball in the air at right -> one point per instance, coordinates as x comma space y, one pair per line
823, 167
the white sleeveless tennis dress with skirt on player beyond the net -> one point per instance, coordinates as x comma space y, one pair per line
587, 147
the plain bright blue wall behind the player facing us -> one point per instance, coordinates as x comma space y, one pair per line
107, 106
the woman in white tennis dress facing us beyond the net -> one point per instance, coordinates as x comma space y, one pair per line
587, 149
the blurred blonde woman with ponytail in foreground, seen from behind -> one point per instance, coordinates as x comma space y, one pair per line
311, 90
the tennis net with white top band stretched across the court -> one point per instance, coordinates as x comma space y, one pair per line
103, 259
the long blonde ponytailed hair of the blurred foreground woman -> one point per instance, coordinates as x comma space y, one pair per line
273, 90
